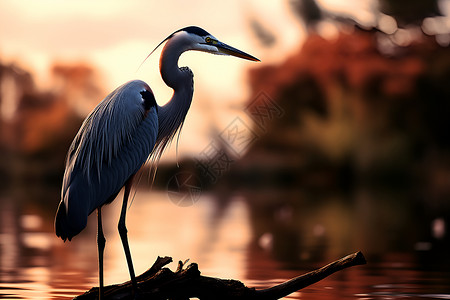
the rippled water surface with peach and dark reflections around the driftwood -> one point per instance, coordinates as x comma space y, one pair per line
260, 238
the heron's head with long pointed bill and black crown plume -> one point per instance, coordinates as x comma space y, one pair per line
196, 38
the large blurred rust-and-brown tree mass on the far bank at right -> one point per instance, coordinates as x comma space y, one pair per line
349, 107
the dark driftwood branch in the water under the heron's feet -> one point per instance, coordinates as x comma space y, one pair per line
161, 283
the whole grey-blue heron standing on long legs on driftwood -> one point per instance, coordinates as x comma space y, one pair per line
124, 131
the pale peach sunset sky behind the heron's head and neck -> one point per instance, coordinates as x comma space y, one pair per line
116, 36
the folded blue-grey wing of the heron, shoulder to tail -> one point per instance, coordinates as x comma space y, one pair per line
112, 144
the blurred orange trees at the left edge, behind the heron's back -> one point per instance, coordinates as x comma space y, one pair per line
36, 126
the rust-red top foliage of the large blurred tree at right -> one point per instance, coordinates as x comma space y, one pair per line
351, 59
